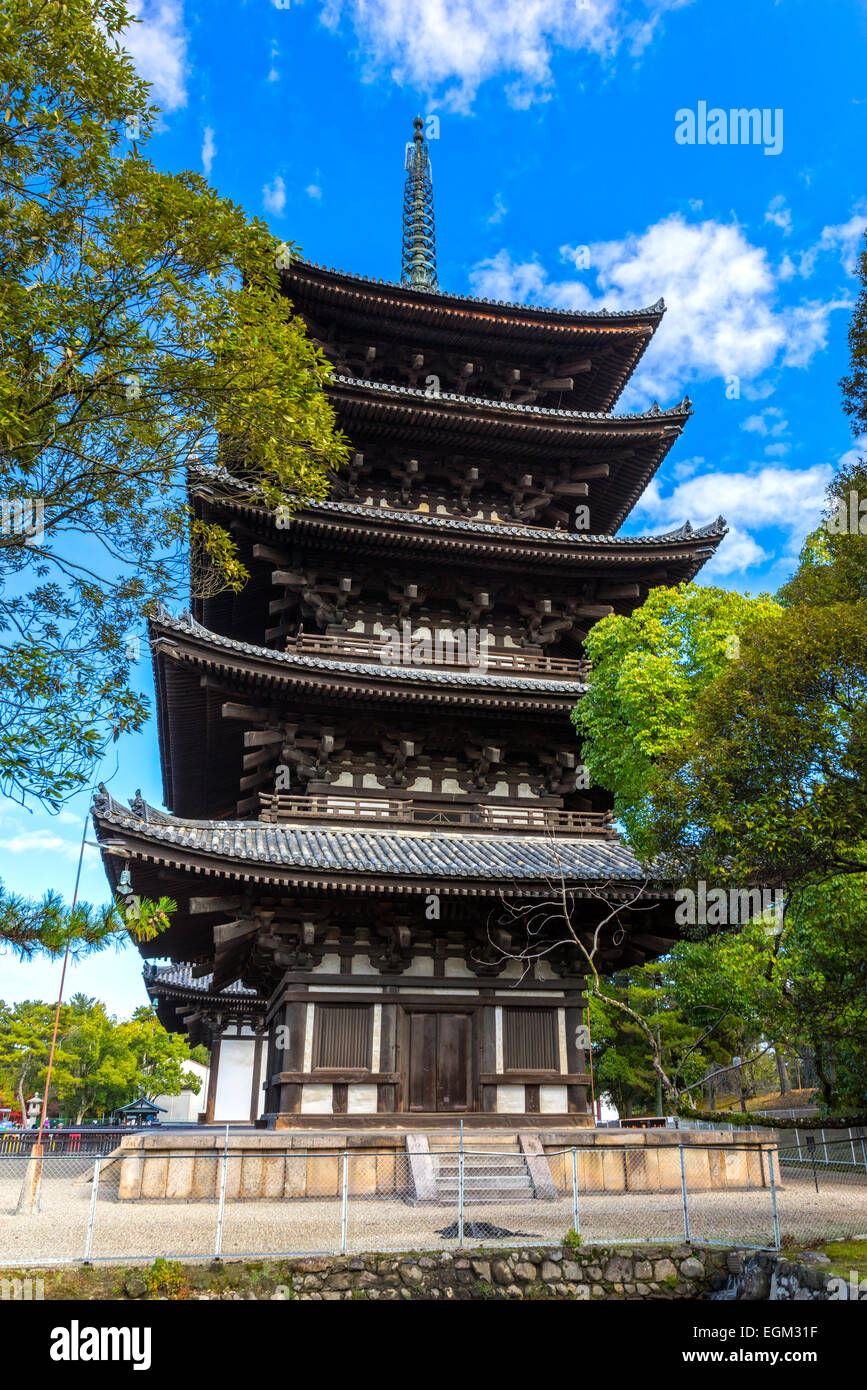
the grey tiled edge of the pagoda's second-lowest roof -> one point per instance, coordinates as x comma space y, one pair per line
372, 671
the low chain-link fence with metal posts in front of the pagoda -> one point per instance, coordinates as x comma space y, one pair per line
206, 1203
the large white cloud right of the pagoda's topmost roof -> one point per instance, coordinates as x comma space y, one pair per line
720, 291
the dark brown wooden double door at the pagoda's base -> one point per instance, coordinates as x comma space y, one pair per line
440, 1063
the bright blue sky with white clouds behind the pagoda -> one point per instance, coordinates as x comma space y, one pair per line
558, 180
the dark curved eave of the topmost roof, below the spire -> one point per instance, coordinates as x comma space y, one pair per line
465, 322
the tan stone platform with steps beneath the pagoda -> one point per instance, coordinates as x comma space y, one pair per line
269, 1166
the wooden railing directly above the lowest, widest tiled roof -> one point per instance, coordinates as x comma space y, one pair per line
279, 808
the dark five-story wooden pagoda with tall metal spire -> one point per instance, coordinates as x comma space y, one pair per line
369, 751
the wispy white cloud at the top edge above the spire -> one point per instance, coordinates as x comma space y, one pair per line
452, 47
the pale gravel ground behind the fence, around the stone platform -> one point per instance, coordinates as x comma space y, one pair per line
144, 1231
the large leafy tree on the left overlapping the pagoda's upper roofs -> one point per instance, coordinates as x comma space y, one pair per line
144, 334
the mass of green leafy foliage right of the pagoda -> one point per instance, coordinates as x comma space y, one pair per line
733, 732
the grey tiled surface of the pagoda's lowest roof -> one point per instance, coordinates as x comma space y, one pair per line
401, 854
